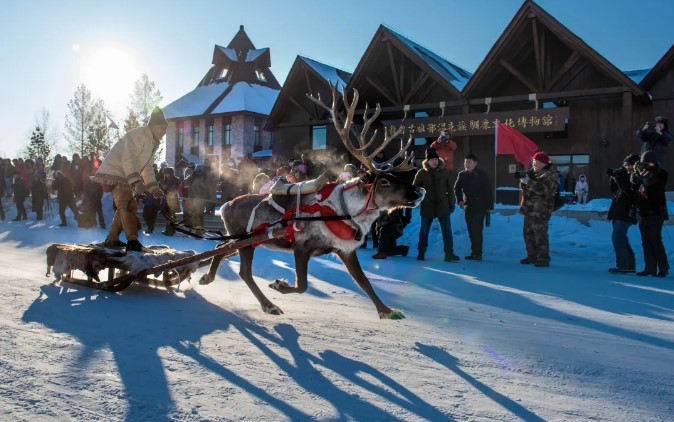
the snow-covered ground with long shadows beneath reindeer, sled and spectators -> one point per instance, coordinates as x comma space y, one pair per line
482, 341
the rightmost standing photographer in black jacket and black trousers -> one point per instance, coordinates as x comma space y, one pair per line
652, 213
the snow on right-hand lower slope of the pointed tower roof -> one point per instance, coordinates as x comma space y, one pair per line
247, 97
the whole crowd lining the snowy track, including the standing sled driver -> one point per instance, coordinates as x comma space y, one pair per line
637, 187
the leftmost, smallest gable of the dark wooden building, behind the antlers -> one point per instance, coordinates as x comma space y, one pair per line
306, 76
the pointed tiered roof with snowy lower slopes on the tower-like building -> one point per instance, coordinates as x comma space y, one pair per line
239, 80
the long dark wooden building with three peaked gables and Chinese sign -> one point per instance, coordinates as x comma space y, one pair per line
539, 77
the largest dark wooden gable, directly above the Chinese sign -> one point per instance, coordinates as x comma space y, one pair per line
524, 31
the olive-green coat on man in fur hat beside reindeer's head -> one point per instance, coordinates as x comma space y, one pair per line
439, 200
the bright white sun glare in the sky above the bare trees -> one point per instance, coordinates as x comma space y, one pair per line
110, 74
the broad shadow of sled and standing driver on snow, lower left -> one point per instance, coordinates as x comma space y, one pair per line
134, 326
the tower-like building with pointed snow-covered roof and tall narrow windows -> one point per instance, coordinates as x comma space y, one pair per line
226, 113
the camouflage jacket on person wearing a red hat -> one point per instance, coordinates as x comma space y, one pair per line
539, 193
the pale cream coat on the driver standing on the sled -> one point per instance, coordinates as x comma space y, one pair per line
130, 160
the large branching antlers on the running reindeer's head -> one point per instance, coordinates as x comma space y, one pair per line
343, 128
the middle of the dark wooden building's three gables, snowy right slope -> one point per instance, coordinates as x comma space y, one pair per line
395, 70
